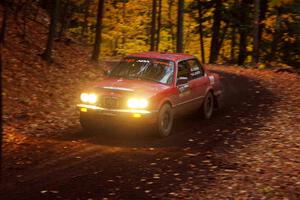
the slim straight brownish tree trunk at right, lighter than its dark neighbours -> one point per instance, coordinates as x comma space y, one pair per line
255, 55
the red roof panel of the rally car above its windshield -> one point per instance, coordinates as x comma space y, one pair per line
162, 55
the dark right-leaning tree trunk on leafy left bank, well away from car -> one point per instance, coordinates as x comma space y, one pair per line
47, 55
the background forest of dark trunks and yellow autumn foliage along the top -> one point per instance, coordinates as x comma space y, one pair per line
259, 33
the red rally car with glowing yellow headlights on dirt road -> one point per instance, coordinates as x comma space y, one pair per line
151, 88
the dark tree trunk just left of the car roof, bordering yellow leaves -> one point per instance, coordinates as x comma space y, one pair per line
96, 50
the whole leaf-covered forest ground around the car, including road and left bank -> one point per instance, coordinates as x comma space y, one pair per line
250, 149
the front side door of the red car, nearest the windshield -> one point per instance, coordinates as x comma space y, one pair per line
184, 94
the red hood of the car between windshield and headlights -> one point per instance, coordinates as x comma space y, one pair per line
130, 87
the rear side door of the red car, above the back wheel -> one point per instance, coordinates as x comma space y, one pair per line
198, 81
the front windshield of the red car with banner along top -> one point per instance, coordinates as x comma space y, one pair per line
157, 70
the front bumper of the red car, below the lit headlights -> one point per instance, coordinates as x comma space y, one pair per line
96, 113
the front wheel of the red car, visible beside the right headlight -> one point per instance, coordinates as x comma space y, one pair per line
165, 121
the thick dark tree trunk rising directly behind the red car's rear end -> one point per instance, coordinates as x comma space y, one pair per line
215, 29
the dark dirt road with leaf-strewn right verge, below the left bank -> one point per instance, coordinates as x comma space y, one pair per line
248, 150
